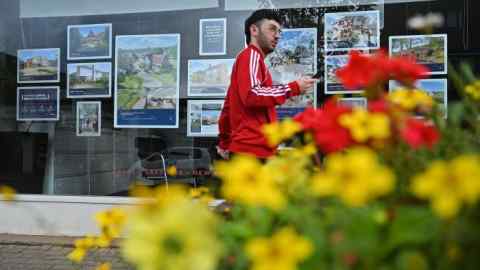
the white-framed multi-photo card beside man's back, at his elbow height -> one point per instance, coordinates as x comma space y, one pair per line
203, 117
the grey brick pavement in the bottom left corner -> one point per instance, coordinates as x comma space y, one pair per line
27, 252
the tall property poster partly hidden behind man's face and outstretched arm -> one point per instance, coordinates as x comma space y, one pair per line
294, 57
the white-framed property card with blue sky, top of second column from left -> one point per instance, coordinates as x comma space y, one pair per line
89, 41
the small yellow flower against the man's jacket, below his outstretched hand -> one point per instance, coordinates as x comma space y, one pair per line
279, 131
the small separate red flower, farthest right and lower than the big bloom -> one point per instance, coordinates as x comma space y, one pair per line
418, 133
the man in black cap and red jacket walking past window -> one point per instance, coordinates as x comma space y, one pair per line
251, 96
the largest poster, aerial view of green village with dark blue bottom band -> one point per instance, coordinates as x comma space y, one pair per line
147, 81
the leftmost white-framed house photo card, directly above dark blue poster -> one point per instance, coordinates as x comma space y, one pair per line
38, 65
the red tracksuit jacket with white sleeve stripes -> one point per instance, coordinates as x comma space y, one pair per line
250, 103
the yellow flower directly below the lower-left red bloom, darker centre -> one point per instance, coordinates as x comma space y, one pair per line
356, 177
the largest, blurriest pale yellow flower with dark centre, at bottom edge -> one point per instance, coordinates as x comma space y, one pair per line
177, 234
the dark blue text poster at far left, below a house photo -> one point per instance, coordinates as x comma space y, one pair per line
38, 103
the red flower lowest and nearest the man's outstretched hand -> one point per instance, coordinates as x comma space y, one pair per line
323, 123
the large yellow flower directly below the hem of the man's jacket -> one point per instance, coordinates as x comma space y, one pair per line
247, 181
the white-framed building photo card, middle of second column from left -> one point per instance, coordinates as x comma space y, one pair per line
89, 80
